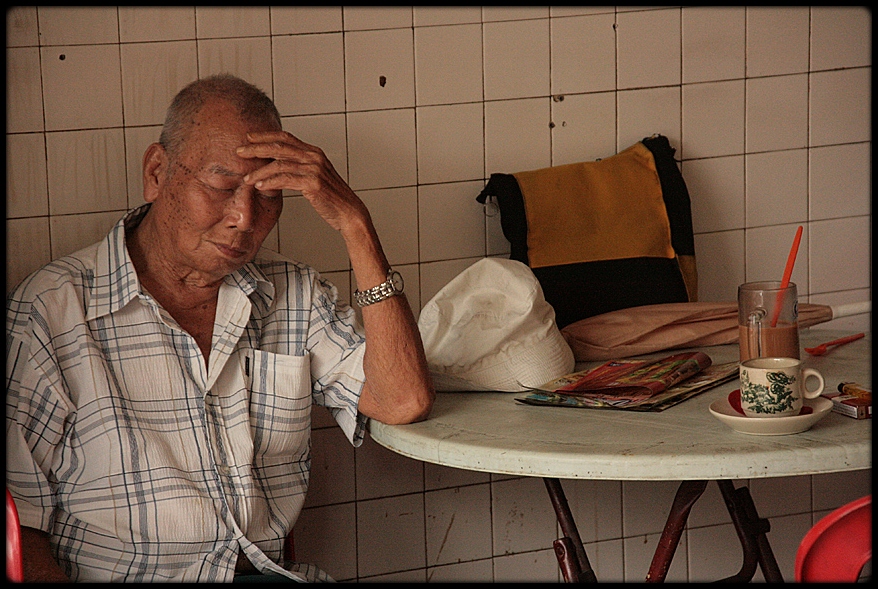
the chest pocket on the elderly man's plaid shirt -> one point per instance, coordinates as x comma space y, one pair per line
280, 403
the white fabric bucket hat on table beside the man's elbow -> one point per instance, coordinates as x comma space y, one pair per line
490, 328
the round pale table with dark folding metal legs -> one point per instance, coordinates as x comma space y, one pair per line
491, 432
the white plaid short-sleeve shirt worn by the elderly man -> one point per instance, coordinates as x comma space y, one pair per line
143, 462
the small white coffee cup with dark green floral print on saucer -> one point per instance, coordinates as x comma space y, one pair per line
775, 387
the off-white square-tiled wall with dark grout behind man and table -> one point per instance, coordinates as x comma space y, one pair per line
769, 110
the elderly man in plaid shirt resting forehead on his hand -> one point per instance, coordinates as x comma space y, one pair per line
160, 382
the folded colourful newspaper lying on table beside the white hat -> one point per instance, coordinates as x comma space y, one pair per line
639, 385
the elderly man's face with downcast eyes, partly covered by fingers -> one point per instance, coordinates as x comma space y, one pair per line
214, 223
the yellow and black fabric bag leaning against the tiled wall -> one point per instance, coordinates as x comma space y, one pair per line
605, 235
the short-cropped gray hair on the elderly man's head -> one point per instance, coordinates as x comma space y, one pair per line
251, 103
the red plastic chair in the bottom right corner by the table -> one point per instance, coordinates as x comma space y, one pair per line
837, 548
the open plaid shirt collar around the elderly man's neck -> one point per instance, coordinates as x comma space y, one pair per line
114, 281
